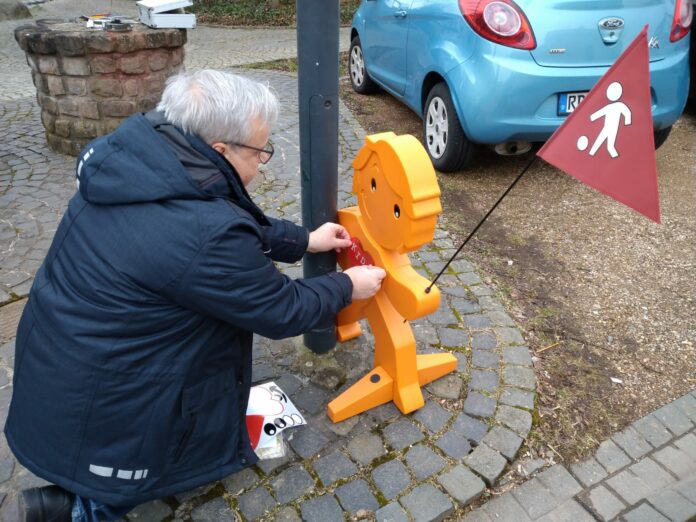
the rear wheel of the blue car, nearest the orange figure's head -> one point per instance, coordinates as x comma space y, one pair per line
447, 145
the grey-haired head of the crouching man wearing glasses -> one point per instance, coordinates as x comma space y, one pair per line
233, 114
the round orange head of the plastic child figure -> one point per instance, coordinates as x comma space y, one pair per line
397, 191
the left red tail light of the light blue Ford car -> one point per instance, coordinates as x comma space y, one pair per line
500, 21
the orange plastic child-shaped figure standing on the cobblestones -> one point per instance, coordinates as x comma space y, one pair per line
398, 205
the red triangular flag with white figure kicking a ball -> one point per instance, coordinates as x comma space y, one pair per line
607, 142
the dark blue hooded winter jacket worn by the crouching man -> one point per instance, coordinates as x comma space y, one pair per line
133, 355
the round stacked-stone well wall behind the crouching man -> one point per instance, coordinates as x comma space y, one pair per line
89, 80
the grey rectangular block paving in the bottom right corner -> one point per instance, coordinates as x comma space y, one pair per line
645, 473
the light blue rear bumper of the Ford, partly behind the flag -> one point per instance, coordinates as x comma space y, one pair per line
502, 98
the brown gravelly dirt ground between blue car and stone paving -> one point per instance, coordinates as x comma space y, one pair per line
604, 296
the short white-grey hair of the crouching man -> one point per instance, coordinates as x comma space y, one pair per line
218, 106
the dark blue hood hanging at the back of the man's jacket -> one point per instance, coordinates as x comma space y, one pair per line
133, 164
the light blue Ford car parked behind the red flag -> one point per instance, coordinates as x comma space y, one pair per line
506, 73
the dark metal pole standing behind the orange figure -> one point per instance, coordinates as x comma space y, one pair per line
317, 53
